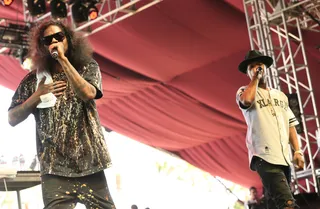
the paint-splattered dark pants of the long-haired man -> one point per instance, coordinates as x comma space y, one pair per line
65, 192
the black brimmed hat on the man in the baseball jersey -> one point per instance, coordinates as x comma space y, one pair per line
254, 56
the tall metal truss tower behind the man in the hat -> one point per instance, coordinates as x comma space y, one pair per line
275, 28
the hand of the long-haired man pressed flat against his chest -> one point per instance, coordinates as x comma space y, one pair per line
56, 88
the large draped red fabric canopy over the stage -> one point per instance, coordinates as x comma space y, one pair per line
170, 78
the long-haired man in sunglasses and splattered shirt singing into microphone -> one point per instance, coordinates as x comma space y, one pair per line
70, 142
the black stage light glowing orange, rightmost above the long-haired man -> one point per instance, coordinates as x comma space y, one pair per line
83, 11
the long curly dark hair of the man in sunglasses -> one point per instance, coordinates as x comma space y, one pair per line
79, 51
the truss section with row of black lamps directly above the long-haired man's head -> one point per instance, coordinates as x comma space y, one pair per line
88, 16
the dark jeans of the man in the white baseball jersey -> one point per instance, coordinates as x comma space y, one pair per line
276, 181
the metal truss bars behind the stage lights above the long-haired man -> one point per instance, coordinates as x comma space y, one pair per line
110, 12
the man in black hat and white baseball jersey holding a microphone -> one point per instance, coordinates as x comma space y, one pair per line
271, 130
